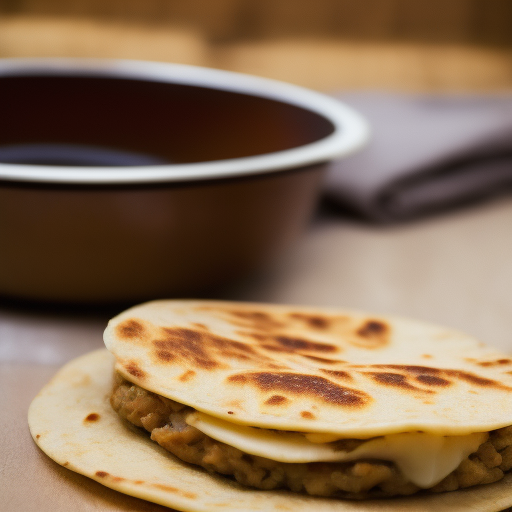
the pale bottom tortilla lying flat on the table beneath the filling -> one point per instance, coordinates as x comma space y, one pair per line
73, 423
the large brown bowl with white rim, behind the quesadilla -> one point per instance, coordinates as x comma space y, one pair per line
125, 181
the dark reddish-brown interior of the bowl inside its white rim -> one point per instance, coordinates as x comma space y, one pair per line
94, 120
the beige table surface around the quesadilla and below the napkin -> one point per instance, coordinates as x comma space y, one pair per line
454, 269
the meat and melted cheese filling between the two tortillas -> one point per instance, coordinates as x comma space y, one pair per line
390, 465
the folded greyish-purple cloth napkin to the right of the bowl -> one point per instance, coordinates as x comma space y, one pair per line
426, 153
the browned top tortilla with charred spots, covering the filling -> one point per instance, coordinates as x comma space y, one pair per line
313, 370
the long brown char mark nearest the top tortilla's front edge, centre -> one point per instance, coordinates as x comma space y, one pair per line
304, 385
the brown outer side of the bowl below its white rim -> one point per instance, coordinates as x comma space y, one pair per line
117, 244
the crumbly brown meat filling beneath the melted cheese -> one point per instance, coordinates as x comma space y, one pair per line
165, 420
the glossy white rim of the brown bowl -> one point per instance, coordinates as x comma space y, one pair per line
350, 133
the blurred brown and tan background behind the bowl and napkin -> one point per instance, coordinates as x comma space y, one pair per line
406, 45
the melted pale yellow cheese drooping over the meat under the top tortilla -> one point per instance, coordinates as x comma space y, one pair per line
425, 459
